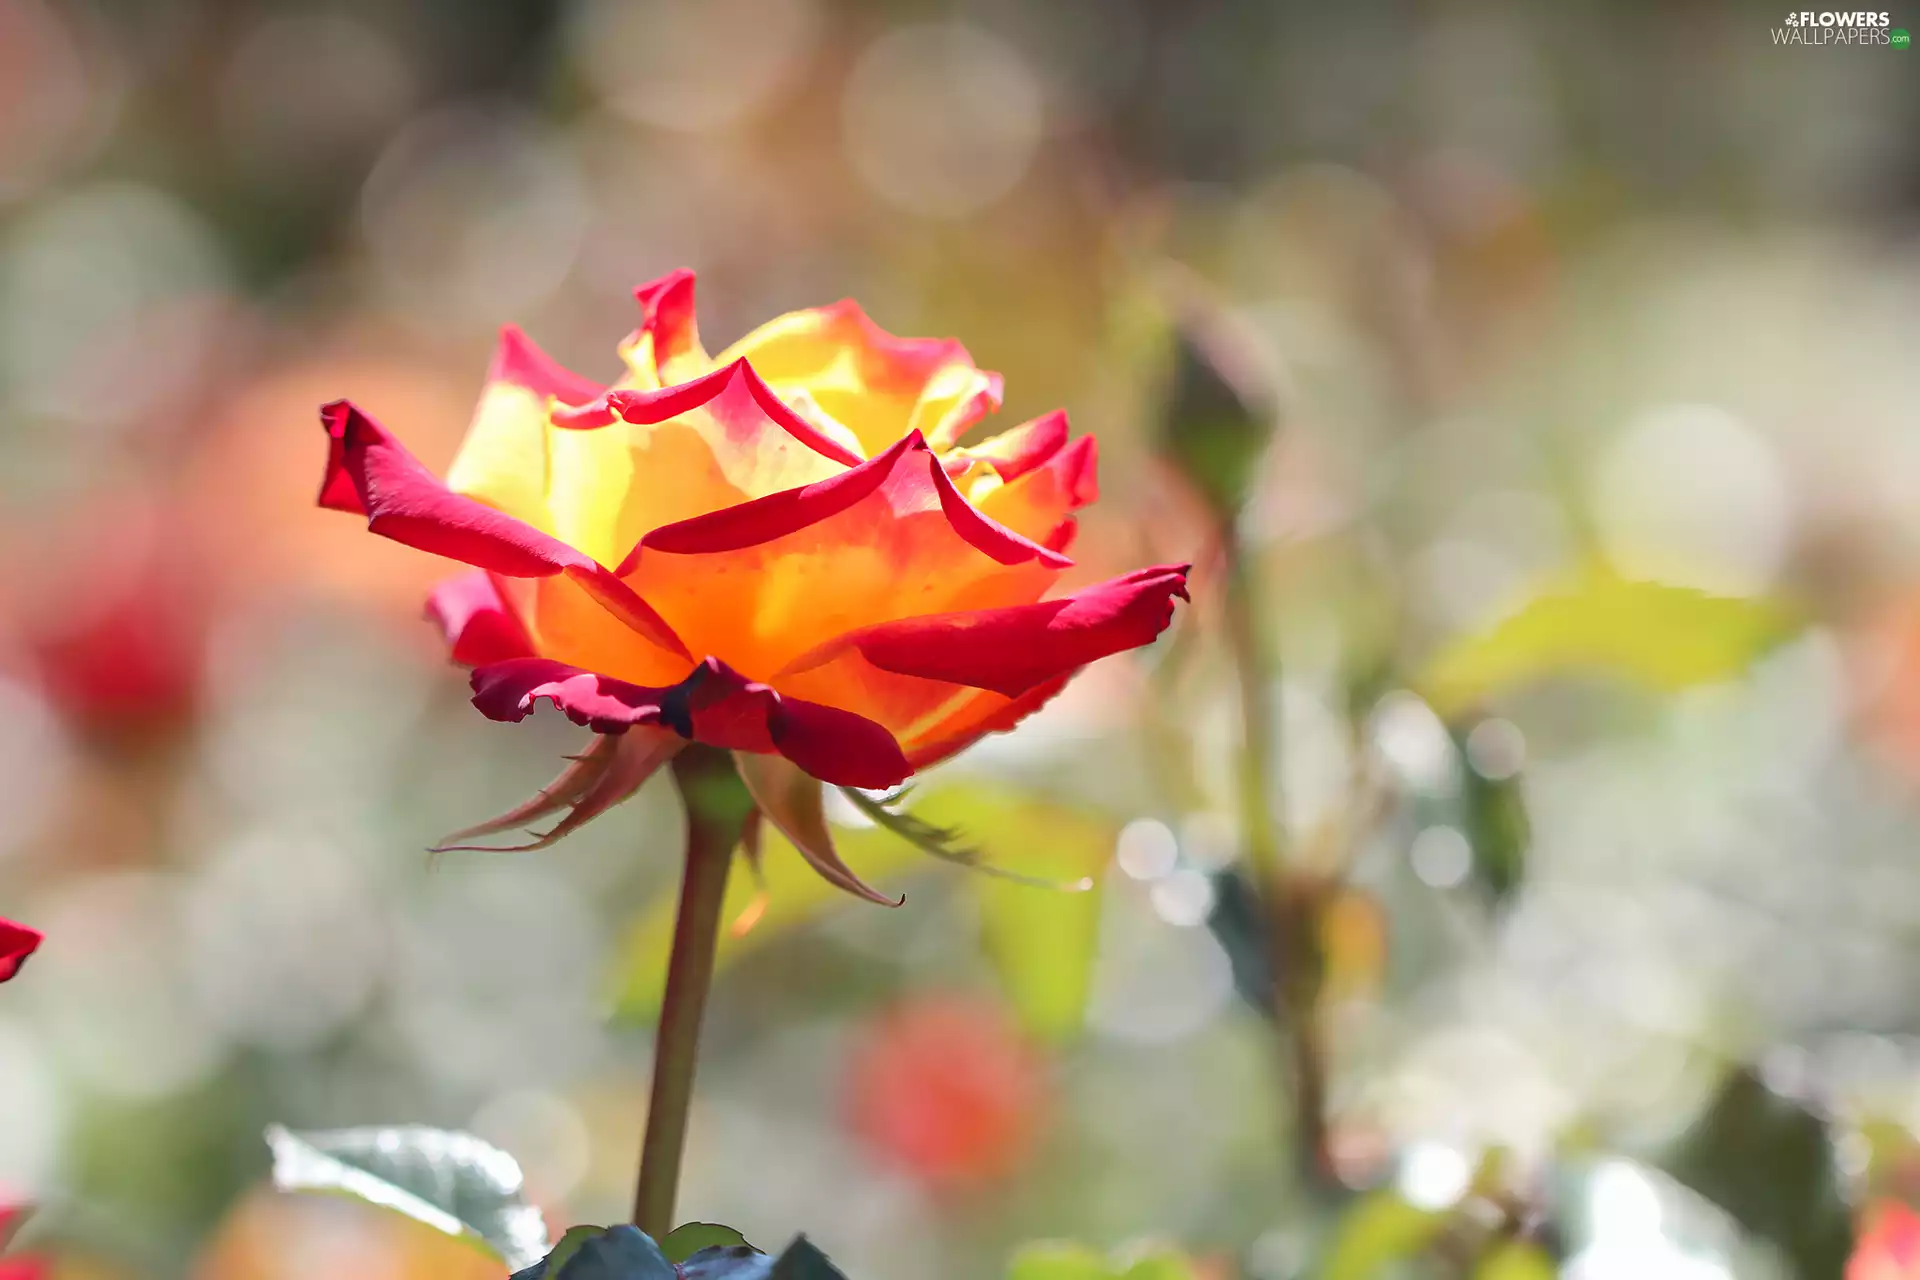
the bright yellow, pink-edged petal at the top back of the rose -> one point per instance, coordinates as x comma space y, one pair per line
875, 385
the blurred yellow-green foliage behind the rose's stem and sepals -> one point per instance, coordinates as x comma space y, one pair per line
1042, 939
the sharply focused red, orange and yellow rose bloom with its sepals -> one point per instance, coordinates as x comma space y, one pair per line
780, 552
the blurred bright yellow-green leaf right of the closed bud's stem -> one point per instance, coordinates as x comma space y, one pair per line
1660, 636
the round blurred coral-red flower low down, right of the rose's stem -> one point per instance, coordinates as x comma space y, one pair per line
949, 1091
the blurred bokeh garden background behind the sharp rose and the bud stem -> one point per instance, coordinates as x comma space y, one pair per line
1558, 312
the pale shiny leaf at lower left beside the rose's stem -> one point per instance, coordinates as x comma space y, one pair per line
450, 1181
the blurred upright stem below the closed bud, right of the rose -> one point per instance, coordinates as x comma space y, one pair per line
1293, 901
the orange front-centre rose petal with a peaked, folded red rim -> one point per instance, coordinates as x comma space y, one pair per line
775, 579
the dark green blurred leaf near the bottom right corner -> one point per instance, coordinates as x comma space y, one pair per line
1769, 1162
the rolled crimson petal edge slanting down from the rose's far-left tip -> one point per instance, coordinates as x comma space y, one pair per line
372, 473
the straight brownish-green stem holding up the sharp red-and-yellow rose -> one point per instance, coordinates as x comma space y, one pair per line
717, 813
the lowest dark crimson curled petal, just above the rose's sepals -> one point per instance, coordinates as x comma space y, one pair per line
713, 705
